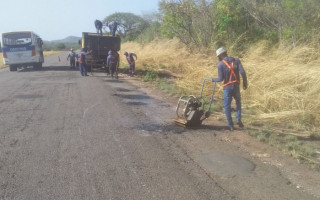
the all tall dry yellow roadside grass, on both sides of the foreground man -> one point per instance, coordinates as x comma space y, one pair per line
283, 83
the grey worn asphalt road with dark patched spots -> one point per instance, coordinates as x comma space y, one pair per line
64, 136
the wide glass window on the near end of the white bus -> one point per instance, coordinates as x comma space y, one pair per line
16, 39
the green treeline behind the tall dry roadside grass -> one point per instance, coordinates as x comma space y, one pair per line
211, 23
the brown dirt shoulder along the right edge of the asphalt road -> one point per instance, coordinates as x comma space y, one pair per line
214, 137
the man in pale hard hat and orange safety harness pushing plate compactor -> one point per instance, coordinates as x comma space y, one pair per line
229, 69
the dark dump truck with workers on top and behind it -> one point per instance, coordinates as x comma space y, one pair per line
100, 45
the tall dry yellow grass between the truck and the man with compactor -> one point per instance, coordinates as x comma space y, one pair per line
173, 57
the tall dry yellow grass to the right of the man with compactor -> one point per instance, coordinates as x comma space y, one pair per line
283, 83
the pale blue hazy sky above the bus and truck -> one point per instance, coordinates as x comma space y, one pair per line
58, 19
